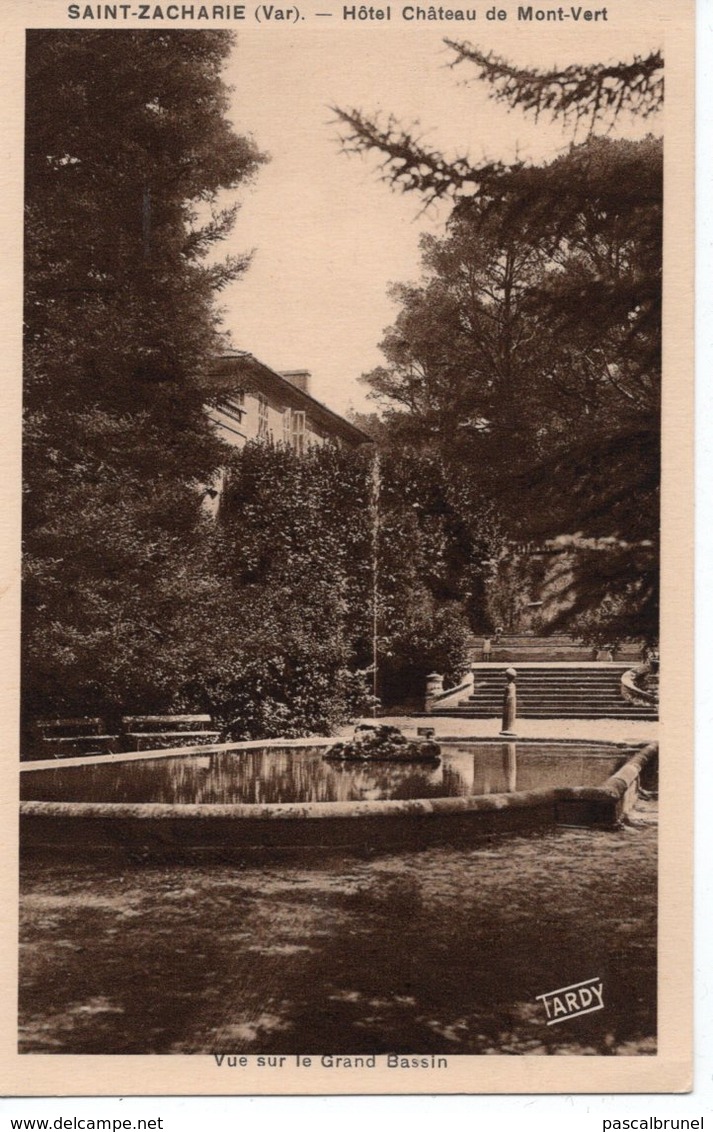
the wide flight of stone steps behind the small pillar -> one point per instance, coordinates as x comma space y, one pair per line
566, 691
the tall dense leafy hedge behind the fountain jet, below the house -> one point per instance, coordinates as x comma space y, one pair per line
316, 548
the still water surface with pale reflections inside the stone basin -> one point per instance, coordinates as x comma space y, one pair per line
279, 775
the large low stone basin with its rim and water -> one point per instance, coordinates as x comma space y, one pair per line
235, 796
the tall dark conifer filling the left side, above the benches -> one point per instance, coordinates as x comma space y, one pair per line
128, 151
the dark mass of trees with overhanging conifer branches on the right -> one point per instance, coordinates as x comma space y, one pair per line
556, 381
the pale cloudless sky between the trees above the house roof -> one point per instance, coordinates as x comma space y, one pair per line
330, 237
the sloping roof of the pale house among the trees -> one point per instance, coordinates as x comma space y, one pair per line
242, 371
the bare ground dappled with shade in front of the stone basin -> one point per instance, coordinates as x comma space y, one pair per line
440, 951
